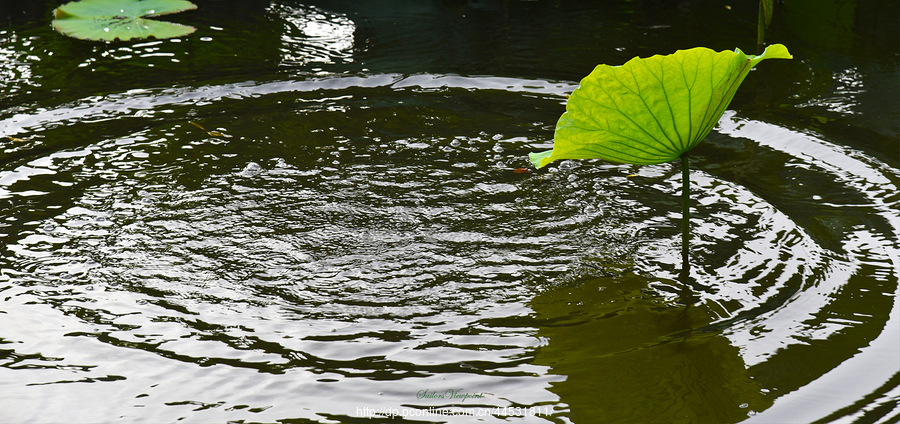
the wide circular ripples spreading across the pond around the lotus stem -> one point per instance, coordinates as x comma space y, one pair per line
304, 250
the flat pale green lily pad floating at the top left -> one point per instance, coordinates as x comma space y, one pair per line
120, 20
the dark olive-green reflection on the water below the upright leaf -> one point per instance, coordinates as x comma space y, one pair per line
631, 357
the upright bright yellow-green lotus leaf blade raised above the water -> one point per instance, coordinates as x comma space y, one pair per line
650, 110
